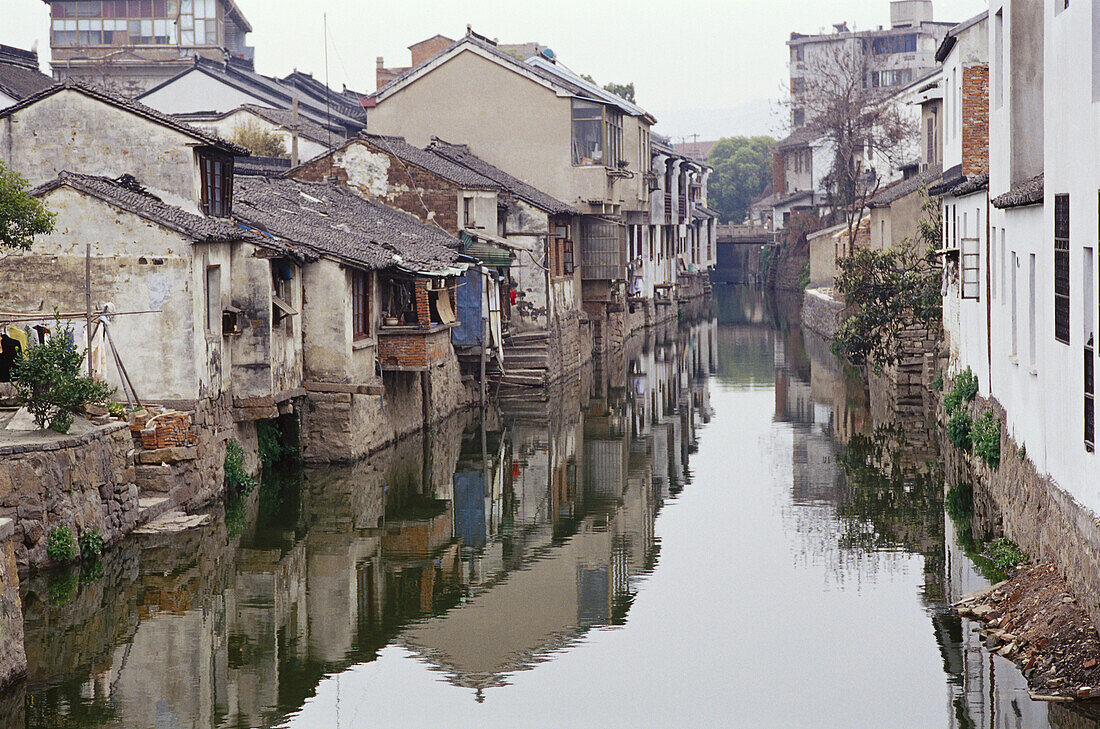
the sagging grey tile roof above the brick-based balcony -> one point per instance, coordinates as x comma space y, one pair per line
332, 220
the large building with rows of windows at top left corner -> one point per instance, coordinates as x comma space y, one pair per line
131, 47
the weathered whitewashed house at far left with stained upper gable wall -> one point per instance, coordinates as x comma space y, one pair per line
203, 314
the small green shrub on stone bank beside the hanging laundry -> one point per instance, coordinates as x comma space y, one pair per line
49, 381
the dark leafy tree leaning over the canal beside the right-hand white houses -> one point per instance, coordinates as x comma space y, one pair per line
887, 291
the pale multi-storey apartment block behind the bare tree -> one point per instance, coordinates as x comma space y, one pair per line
895, 58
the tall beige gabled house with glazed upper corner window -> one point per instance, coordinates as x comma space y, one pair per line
551, 128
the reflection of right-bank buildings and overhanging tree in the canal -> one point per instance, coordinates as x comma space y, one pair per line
867, 495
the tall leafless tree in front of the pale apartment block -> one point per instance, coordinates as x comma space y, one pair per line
863, 125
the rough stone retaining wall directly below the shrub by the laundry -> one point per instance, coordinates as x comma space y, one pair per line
85, 483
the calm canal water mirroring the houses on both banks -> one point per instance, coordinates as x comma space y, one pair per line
712, 532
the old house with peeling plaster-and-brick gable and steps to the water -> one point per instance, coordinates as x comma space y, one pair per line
522, 236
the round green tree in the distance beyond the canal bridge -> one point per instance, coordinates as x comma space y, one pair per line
742, 172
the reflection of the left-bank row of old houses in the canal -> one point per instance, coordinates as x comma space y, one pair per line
538, 517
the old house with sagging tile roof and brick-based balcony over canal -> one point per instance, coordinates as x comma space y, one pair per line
379, 308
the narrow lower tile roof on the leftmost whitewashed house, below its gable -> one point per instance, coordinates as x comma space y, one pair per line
127, 194
